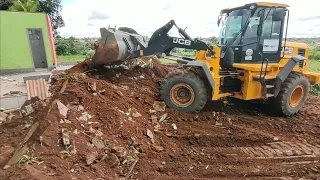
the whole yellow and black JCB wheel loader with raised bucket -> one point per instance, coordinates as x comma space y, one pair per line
253, 60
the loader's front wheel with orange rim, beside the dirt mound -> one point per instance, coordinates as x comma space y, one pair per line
184, 91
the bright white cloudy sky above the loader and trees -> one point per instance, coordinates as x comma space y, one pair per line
84, 18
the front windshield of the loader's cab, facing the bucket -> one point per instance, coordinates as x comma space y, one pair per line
232, 24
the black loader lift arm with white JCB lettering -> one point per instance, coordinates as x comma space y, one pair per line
161, 42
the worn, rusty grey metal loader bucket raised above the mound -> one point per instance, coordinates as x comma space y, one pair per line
115, 45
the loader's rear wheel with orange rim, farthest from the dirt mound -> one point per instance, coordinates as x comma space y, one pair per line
293, 94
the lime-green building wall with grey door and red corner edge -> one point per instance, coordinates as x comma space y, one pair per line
26, 42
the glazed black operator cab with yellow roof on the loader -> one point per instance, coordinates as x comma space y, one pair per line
252, 33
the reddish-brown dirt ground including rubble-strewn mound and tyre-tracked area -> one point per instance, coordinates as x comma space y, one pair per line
126, 138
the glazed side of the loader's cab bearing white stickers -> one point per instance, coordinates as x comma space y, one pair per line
269, 42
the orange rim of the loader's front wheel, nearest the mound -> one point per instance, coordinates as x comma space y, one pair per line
182, 95
